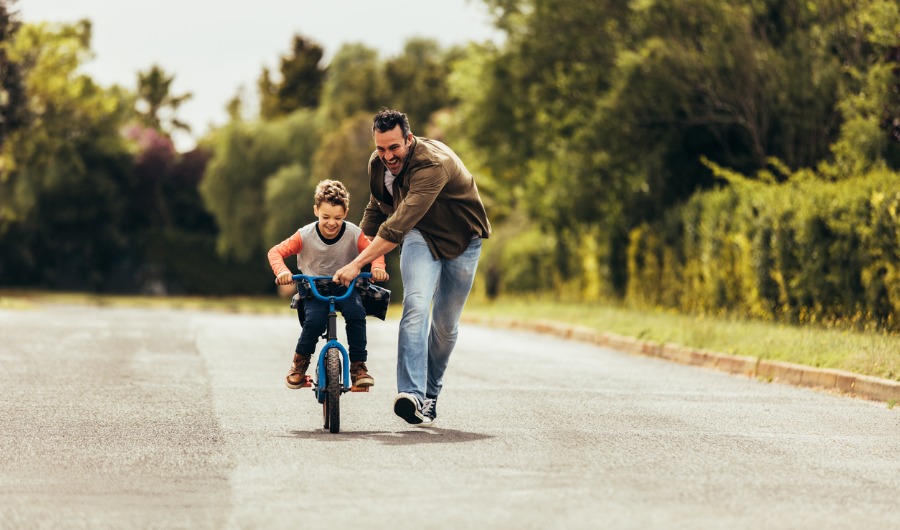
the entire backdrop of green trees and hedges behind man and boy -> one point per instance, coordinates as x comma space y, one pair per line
608, 138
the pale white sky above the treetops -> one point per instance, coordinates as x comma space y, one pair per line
216, 48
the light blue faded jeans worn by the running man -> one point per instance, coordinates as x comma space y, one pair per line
434, 293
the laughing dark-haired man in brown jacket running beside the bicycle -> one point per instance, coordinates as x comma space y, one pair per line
424, 198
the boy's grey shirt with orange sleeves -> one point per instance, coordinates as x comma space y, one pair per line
319, 257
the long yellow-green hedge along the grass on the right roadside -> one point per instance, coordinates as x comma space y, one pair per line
804, 251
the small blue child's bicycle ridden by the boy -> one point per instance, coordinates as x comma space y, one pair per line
333, 365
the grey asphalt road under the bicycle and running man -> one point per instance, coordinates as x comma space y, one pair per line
132, 418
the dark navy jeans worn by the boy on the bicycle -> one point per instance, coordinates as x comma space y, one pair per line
316, 321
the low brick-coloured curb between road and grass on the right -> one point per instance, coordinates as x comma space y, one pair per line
837, 381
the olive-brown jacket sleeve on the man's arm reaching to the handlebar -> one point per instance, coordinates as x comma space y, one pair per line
425, 184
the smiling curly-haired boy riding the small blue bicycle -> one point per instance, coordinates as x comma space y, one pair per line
321, 248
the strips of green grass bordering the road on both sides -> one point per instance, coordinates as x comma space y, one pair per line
867, 353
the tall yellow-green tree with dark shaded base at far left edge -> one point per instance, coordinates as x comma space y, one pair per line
64, 174
